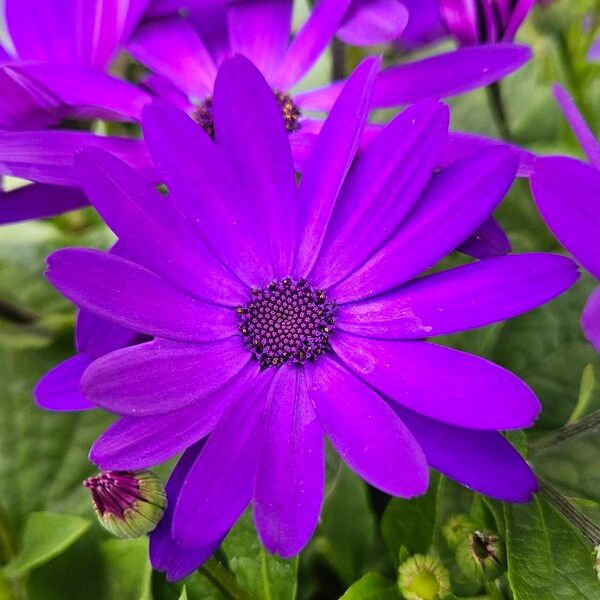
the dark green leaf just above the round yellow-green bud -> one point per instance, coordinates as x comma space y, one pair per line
410, 523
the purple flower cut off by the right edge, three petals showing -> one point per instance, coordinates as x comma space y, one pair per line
567, 194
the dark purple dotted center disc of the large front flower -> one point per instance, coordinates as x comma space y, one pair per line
287, 320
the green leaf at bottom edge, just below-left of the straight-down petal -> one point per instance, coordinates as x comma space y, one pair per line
263, 575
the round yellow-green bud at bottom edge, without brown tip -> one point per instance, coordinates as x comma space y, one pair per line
423, 577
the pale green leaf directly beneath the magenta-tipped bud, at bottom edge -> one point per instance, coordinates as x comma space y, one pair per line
128, 569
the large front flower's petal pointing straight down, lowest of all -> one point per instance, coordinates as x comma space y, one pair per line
288, 490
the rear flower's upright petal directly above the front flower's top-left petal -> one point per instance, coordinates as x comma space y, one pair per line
260, 30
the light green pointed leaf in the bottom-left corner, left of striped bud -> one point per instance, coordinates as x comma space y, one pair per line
46, 535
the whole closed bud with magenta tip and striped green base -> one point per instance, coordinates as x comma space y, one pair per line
128, 504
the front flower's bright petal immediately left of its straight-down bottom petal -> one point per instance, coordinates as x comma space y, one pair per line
219, 484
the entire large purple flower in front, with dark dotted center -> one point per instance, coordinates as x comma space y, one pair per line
284, 312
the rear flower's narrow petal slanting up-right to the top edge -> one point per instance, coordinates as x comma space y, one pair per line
310, 42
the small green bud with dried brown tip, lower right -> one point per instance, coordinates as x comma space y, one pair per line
481, 556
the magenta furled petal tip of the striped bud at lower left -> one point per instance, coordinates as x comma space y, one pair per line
114, 491
